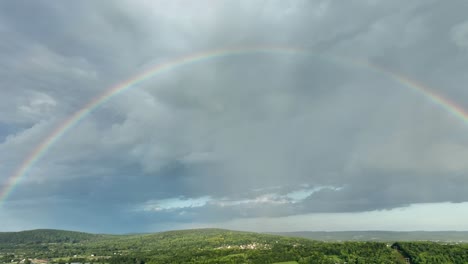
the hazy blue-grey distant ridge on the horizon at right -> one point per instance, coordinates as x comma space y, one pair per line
441, 236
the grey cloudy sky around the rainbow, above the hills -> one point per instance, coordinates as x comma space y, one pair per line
259, 141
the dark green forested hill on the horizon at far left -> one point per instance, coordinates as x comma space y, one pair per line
46, 236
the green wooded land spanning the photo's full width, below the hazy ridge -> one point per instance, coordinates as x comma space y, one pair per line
213, 246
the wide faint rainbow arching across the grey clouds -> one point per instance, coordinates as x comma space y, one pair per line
41, 149
